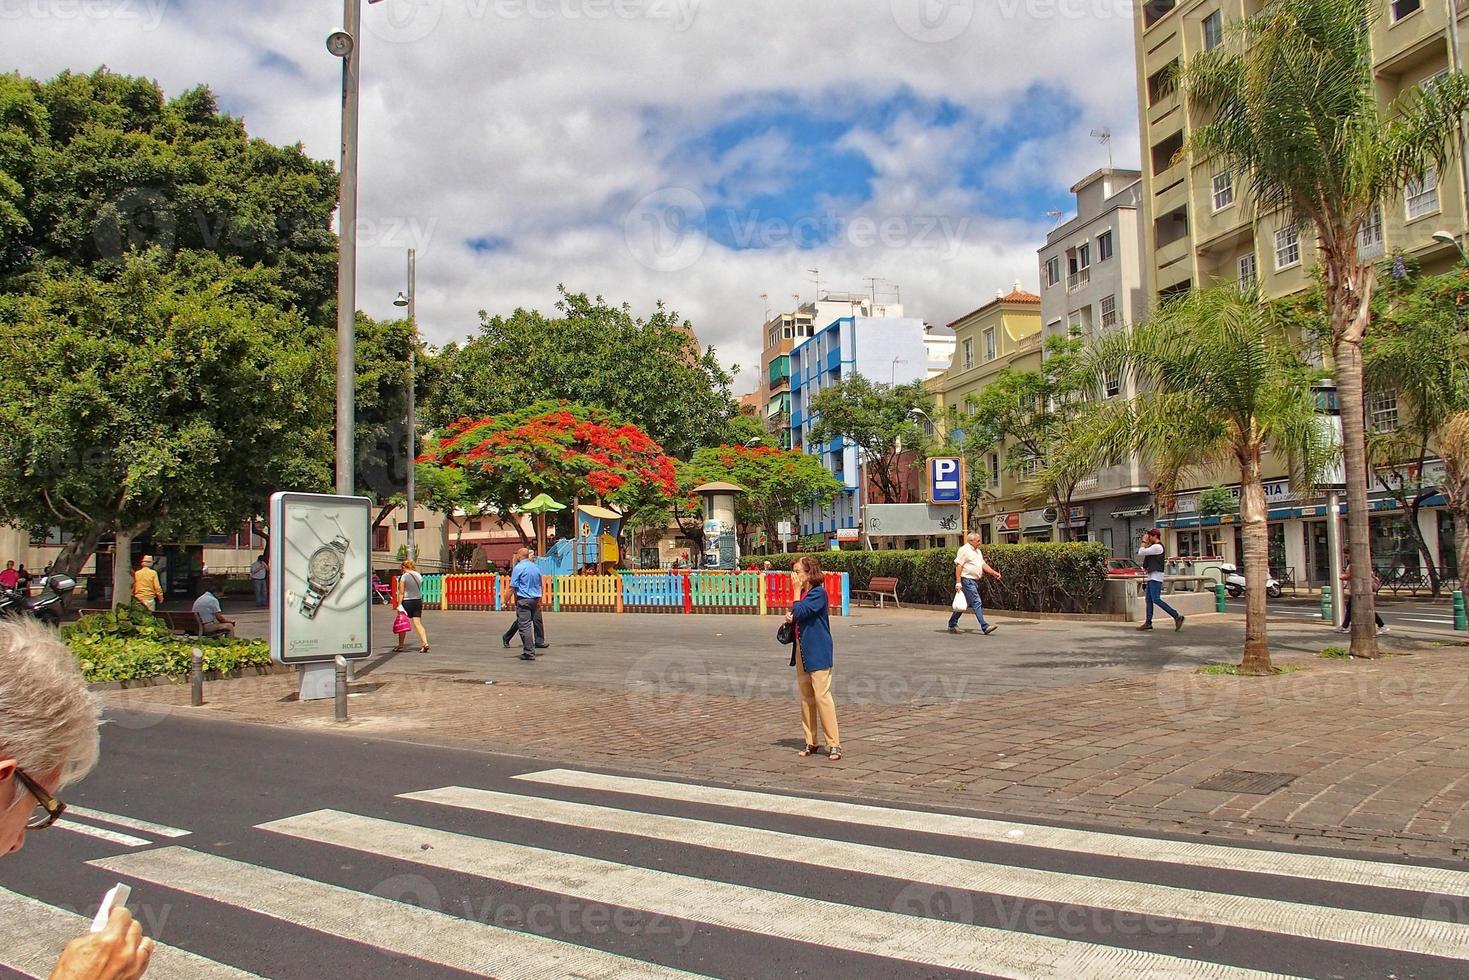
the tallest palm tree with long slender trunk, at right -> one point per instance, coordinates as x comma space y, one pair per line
1291, 107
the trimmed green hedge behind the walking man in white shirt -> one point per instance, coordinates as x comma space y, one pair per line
1039, 578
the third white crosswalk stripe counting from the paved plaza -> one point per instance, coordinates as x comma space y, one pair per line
856, 929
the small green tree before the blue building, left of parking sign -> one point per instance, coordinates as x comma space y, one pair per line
882, 421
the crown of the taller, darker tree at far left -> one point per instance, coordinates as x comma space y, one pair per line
95, 168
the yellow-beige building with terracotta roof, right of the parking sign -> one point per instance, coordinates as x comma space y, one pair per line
1006, 333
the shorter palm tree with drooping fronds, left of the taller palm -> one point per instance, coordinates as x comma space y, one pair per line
1221, 384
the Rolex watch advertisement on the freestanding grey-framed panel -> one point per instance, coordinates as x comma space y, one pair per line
321, 578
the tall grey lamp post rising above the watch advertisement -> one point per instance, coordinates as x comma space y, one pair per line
344, 45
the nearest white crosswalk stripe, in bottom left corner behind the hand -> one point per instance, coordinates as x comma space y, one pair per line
36, 934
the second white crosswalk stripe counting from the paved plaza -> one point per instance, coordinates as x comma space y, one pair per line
1310, 922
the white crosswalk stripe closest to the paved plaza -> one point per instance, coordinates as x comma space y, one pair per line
1202, 856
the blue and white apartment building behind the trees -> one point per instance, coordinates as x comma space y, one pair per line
888, 350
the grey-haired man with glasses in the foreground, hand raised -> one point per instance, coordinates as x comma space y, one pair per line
49, 740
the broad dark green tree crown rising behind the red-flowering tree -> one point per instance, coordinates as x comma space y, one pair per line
649, 371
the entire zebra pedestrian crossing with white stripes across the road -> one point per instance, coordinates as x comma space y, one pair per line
446, 835
